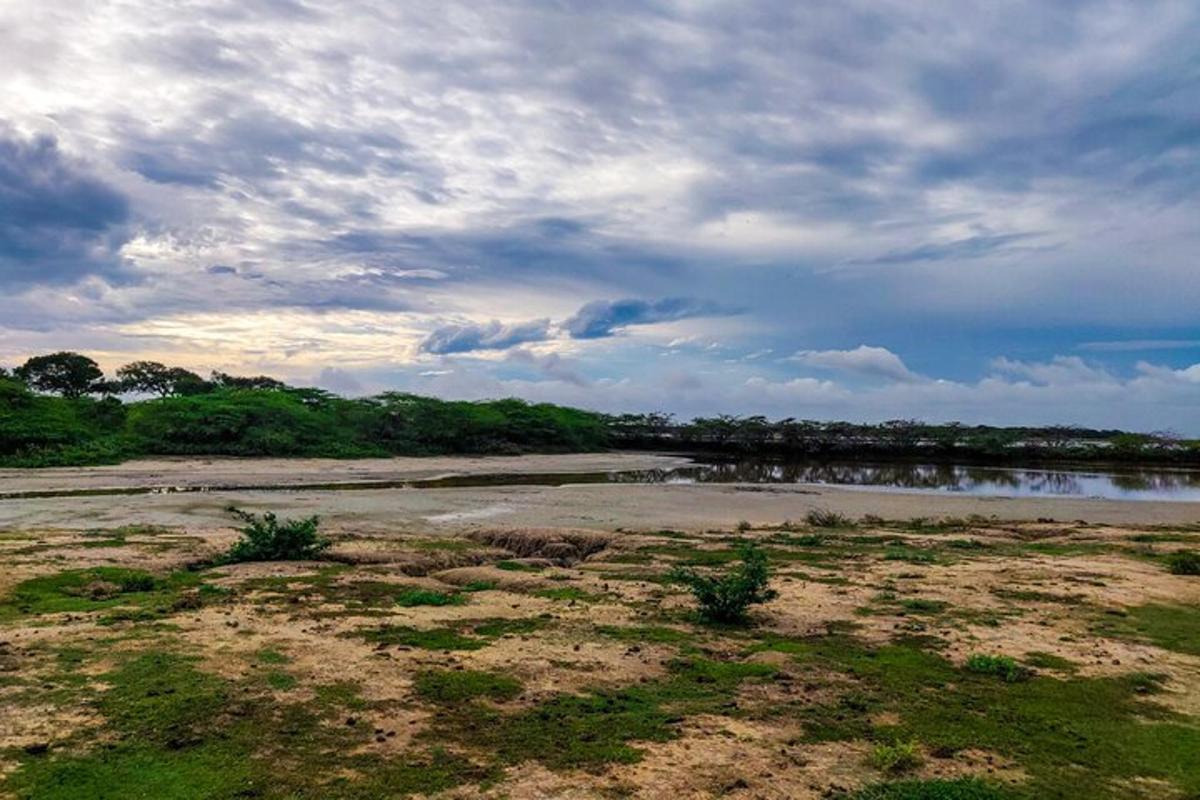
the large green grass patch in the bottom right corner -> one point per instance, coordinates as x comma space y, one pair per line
1073, 737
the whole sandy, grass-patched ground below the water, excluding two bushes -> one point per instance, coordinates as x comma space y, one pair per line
531, 641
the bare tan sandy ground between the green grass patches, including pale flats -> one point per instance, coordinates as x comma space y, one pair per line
449, 538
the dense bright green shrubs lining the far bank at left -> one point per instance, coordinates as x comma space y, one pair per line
43, 431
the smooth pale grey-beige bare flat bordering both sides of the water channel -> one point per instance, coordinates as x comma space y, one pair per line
598, 507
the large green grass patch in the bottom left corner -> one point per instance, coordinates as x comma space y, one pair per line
172, 732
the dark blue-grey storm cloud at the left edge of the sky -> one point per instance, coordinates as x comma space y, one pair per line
58, 224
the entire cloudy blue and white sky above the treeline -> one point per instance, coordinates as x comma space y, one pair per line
847, 209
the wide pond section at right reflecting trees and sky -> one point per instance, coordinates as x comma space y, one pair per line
1124, 485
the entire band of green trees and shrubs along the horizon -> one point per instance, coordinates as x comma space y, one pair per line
61, 411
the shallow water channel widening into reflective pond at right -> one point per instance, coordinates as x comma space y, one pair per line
981, 482
